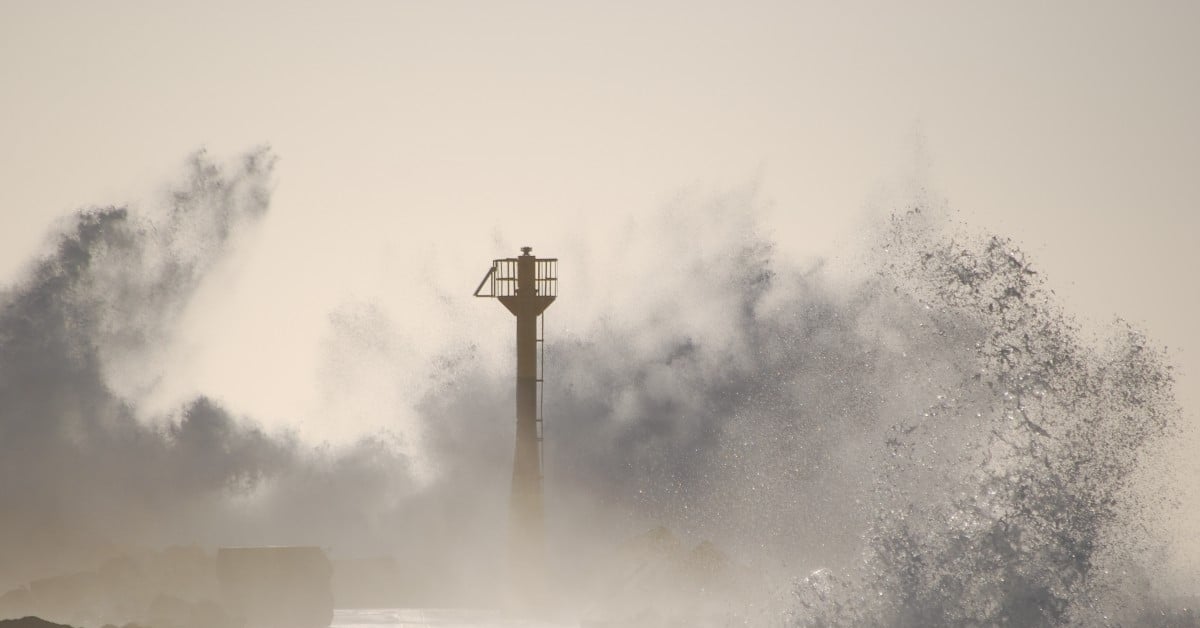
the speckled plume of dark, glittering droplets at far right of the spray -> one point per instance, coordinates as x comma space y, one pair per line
1009, 500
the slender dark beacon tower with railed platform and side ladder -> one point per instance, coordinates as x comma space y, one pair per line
526, 286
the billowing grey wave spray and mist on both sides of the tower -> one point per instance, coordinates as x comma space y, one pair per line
716, 388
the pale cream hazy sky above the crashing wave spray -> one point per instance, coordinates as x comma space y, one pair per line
453, 133
